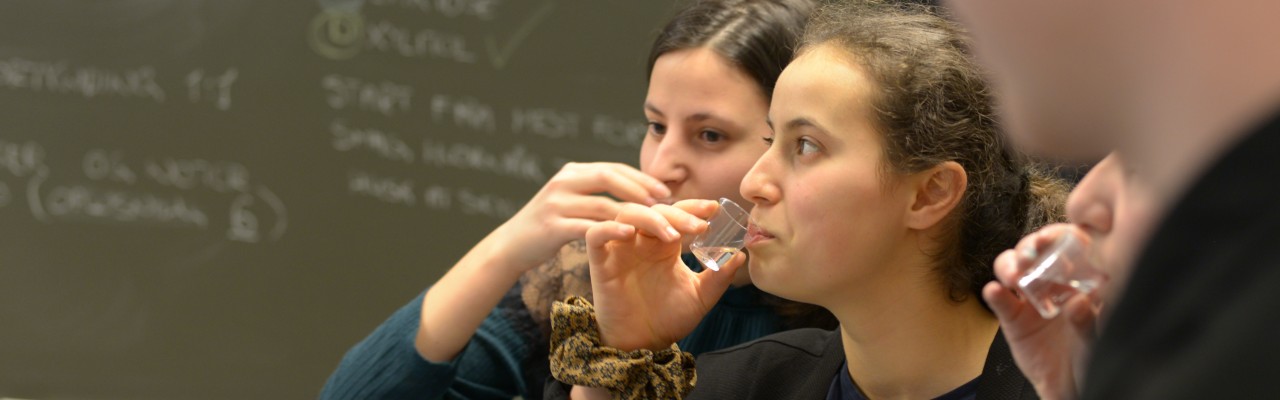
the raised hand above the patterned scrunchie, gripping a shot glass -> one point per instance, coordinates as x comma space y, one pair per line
644, 296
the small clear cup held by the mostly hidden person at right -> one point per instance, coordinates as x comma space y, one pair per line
1059, 274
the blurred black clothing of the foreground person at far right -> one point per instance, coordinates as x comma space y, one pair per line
1200, 319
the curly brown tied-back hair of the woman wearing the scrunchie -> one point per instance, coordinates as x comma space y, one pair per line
932, 106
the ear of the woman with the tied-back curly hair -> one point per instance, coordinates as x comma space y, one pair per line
936, 192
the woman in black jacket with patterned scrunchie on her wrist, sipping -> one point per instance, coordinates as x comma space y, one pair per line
885, 197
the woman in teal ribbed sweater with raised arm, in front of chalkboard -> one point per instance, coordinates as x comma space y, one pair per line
483, 330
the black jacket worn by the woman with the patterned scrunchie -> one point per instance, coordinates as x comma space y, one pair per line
801, 365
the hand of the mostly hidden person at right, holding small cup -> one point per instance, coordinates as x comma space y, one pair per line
1049, 352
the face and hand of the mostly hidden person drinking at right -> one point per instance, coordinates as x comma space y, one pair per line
1110, 215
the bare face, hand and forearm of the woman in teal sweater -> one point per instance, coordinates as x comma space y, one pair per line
706, 117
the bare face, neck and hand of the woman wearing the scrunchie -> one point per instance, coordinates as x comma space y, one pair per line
903, 337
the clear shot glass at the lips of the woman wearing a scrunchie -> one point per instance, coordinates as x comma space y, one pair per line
725, 235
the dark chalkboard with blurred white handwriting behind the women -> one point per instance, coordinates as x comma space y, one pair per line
216, 199
